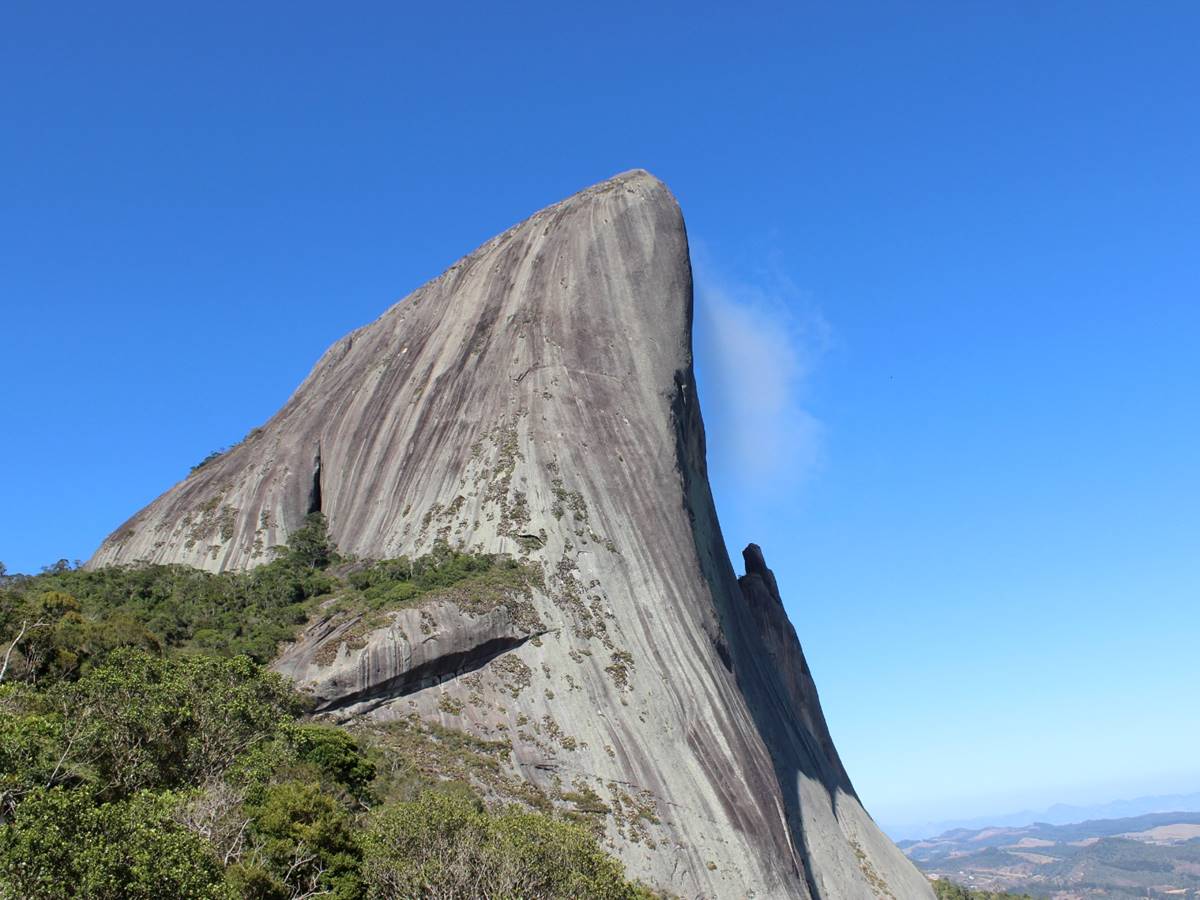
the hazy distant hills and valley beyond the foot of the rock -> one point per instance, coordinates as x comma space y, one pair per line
1149, 856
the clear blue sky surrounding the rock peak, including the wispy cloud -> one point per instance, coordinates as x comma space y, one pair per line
949, 259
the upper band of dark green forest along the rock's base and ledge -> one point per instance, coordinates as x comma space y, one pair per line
65, 621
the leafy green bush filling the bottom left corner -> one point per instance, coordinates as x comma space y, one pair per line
61, 844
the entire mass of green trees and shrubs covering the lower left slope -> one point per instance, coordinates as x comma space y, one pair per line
146, 753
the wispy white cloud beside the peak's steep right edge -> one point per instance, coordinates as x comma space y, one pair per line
758, 345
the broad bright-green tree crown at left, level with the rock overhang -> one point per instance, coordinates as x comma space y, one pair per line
140, 723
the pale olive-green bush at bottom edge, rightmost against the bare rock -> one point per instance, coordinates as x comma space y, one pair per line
451, 848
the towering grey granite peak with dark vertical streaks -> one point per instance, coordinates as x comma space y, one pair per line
538, 400
